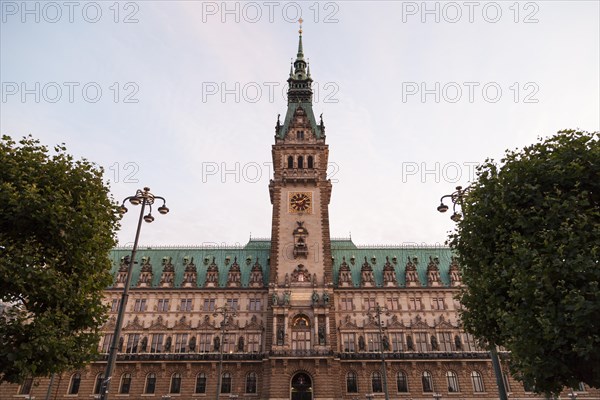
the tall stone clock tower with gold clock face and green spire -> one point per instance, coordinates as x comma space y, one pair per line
300, 281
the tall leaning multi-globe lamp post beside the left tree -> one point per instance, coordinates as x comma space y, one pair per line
145, 198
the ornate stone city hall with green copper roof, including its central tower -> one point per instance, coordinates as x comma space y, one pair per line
299, 316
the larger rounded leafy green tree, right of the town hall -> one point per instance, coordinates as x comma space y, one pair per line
529, 245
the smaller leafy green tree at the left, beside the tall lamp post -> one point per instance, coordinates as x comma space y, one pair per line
57, 225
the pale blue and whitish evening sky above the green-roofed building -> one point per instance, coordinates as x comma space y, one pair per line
367, 60
